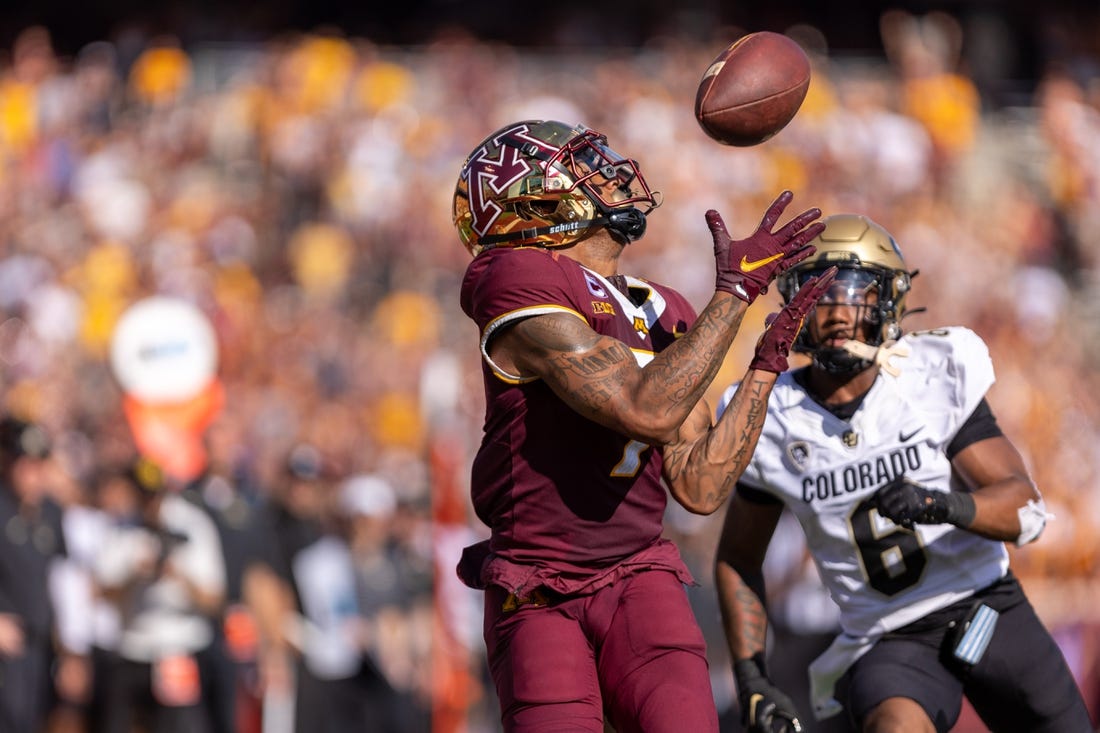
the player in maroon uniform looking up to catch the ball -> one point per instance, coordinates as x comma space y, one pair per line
595, 386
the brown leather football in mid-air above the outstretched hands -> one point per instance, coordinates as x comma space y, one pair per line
753, 90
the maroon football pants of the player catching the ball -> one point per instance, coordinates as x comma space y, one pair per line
632, 651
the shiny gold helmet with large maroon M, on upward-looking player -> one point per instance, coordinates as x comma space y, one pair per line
548, 184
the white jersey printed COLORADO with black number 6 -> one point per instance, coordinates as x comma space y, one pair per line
826, 471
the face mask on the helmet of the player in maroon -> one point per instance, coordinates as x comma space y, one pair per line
611, 180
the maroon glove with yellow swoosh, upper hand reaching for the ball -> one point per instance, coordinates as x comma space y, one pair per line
746, 267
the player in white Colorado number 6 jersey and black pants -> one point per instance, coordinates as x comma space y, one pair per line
887, 452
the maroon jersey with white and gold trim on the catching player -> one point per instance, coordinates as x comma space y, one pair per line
568, 500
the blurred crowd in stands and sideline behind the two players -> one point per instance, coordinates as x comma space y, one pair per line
299, 192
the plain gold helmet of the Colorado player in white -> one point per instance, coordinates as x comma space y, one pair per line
868, 259
